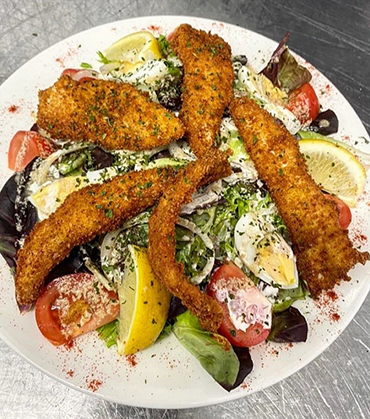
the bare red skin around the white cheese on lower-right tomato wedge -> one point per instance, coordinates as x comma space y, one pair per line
254, 334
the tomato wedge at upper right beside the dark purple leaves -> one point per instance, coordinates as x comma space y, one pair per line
303, 103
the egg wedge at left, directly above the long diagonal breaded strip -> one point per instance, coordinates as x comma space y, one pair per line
48, 198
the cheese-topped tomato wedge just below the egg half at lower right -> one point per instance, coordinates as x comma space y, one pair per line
227, 281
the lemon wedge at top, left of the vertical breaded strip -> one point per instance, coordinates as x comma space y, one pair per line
133, 51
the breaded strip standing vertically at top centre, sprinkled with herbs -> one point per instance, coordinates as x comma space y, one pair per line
207, 84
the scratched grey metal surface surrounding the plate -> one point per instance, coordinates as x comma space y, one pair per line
334, 36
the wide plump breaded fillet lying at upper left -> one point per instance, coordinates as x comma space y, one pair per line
114, 115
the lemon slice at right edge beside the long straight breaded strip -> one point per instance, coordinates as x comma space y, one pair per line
334, 168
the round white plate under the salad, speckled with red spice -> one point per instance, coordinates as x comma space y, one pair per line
166, 375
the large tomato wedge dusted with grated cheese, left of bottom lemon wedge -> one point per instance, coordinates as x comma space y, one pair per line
73, 305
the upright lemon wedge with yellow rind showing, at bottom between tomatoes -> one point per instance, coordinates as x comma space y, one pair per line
144, 304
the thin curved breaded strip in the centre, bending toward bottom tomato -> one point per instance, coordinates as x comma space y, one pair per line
161, 249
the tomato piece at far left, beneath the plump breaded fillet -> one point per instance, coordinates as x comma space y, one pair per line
25, 146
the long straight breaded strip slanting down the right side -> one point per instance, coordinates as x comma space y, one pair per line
324, 251
